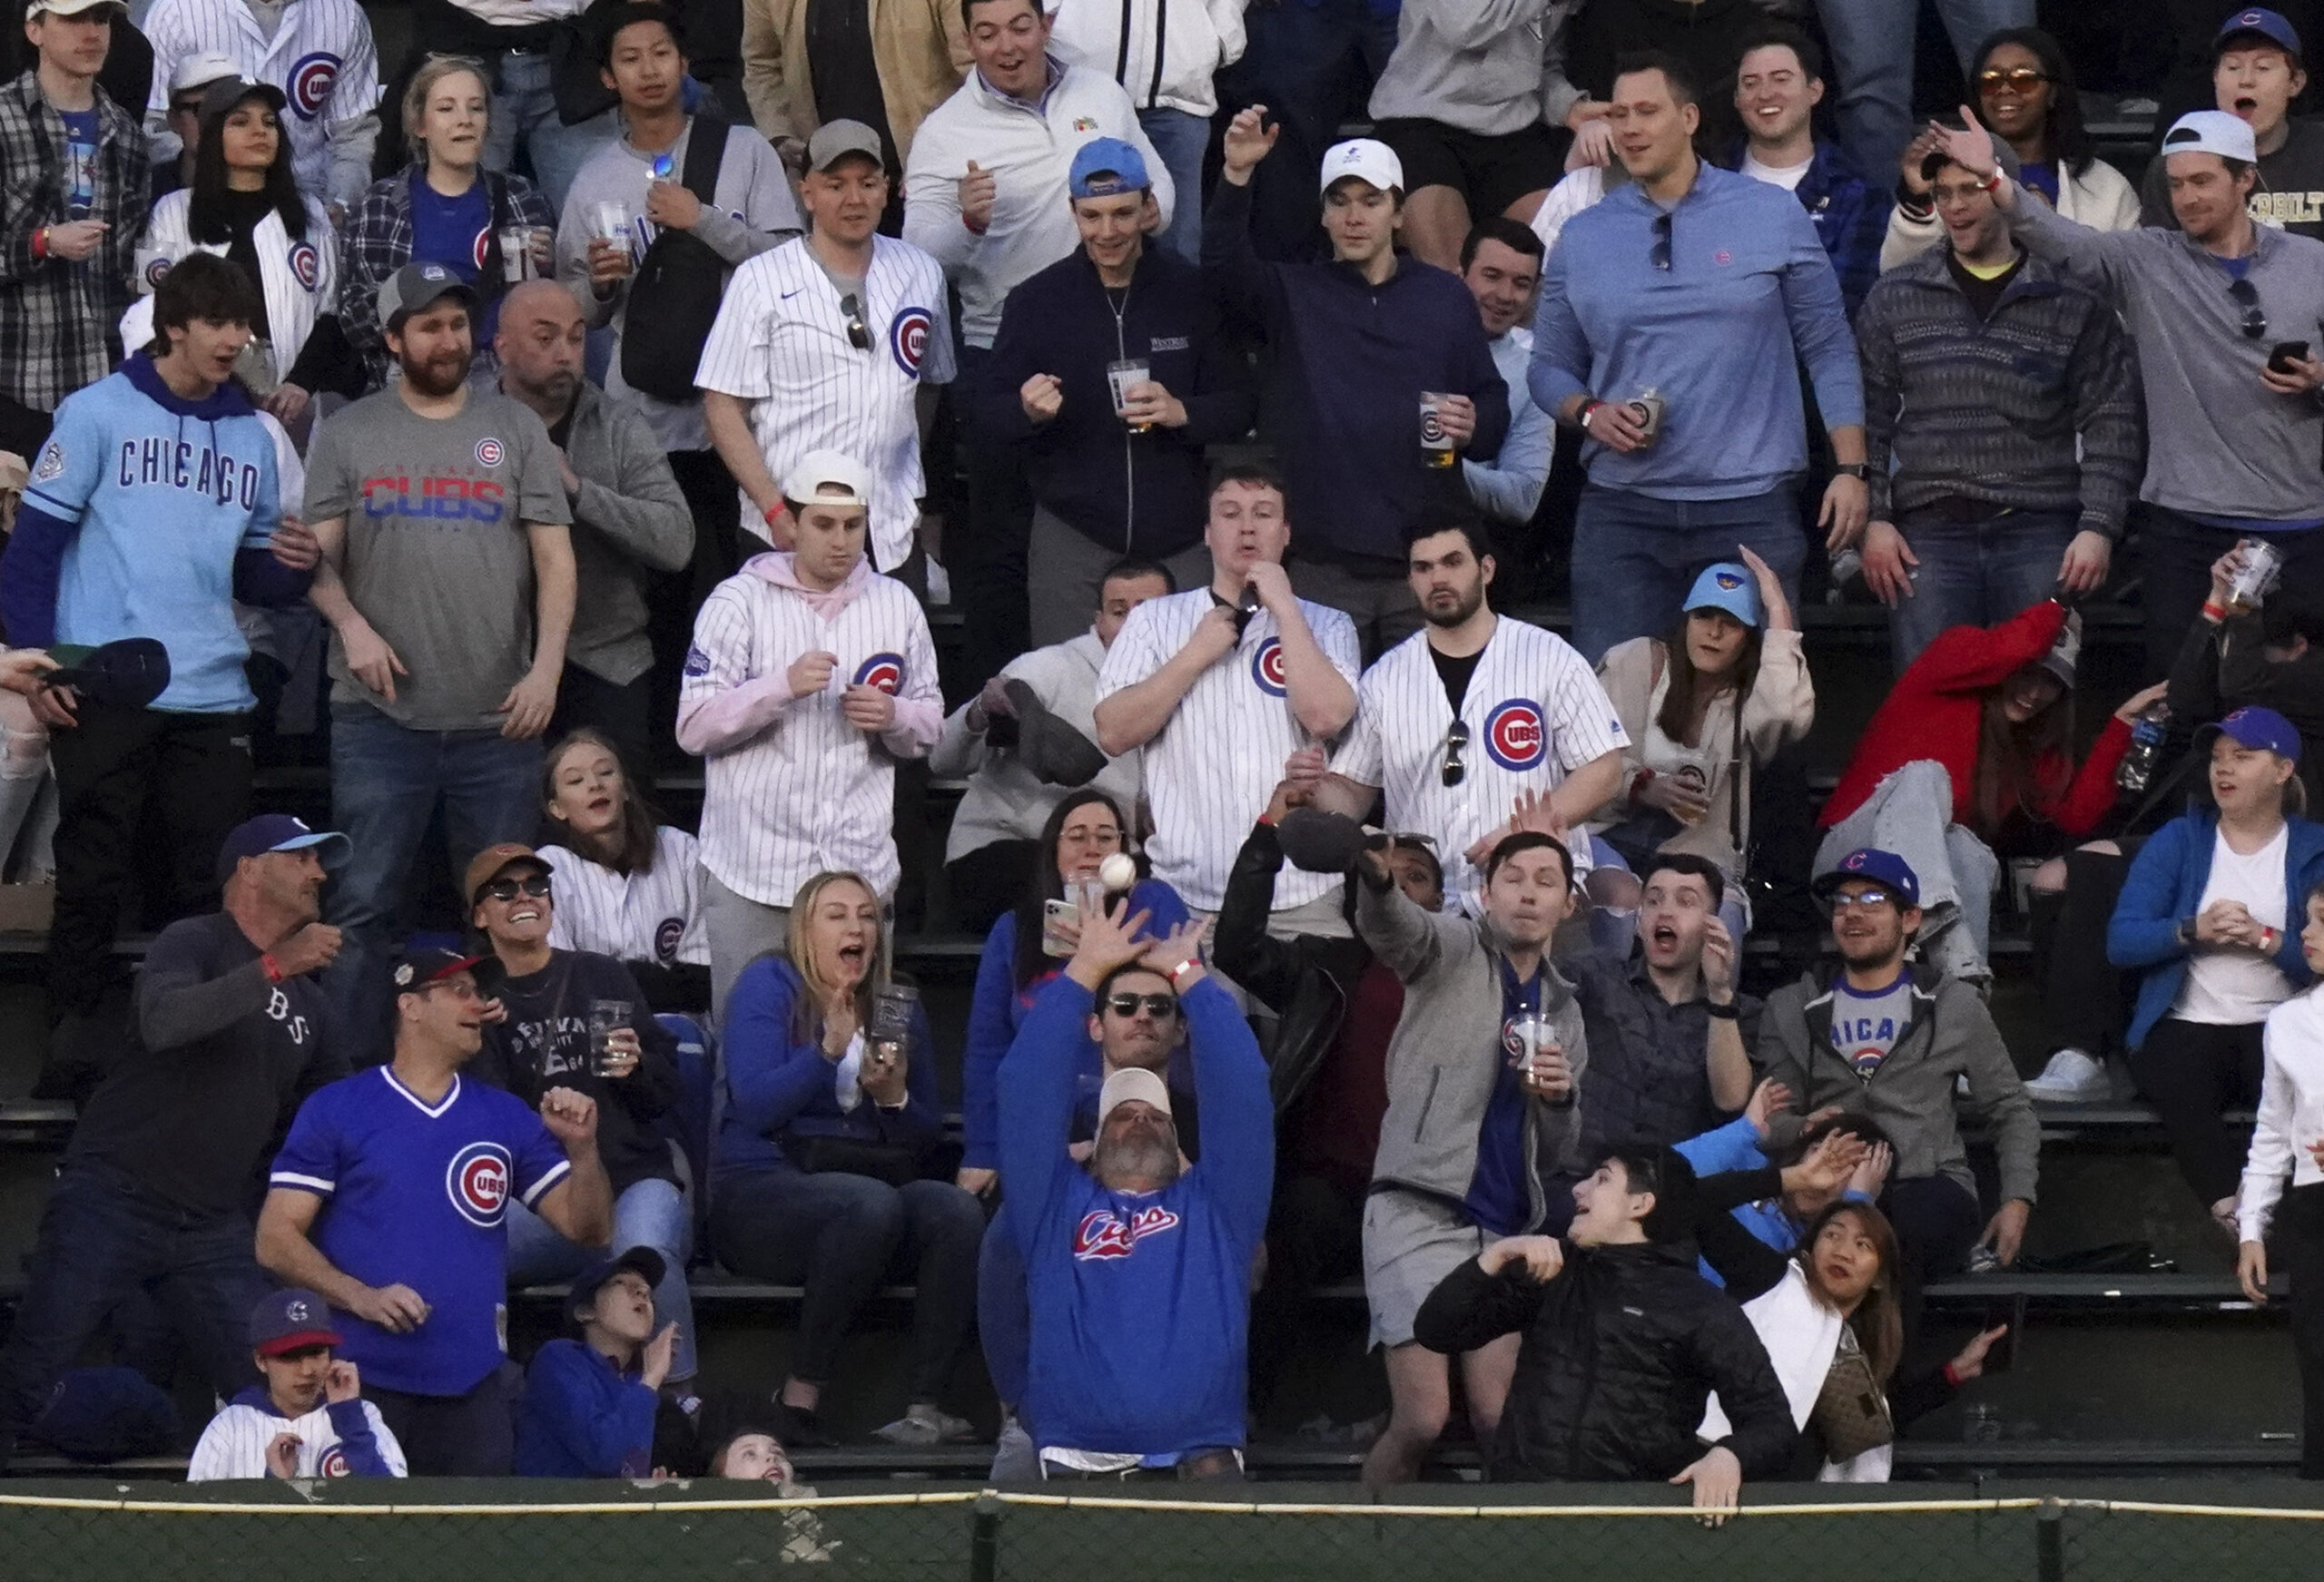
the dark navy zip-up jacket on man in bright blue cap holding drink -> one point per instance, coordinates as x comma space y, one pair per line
1128, 494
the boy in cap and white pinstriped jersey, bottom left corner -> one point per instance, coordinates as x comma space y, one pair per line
308, 1418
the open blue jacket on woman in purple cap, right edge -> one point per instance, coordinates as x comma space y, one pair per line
2165, 889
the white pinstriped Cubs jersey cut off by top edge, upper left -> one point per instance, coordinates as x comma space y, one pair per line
322, 57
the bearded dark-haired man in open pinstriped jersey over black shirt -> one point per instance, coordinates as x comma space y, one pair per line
1472, 714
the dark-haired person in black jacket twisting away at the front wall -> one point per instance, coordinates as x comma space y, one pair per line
1623, 1344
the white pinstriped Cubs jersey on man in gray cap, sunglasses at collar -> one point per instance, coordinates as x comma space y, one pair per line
782, 343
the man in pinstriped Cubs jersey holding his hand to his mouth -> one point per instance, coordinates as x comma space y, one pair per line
1221, 686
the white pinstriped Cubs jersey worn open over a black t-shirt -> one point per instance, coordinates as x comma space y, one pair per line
1535, 714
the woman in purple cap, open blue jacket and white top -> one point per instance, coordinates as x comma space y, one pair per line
2214, 914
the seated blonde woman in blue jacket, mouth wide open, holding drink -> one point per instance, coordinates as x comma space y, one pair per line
817, 1174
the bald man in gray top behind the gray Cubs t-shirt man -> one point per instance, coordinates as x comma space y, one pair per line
631, 519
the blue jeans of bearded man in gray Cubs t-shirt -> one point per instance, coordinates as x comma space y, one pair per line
385, 786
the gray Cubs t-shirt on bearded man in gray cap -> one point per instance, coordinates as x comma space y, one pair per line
438, 559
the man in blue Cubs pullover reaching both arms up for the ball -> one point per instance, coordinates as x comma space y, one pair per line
1140, 1265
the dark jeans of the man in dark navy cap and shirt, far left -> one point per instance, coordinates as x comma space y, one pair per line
103, 1239
